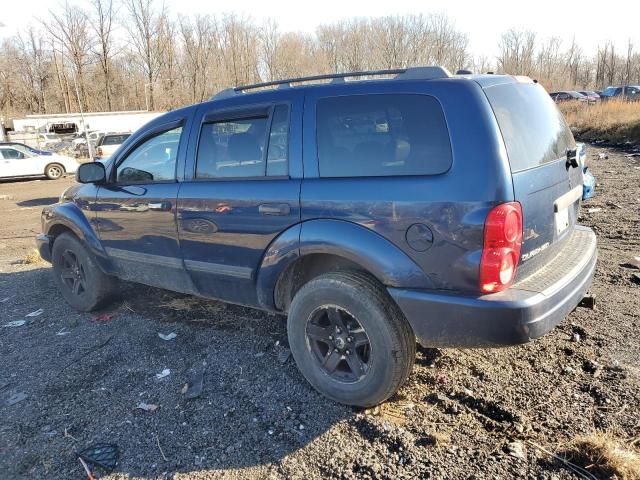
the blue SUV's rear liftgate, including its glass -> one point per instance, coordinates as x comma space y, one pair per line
547, 186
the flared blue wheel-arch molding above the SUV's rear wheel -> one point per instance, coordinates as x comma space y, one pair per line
344, 239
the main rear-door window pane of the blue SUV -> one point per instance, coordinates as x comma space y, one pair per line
232, 148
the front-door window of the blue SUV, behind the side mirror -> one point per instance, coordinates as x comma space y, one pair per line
152, 161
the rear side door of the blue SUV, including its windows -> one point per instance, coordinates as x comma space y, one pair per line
243, 191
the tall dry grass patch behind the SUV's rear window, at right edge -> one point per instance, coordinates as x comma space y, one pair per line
614, 121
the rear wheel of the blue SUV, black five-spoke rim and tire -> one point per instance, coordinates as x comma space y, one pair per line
365, 375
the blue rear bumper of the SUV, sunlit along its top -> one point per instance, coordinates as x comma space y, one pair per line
526, 311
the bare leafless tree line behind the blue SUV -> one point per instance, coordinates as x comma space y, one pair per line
134, 54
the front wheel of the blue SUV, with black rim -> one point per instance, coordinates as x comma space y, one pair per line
82, 284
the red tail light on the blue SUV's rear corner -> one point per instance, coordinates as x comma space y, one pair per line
501, 249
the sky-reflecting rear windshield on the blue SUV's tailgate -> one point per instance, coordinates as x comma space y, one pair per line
533, 129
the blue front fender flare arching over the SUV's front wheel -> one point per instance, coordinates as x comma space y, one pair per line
70, 215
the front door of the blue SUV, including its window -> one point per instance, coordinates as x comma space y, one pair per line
135, 212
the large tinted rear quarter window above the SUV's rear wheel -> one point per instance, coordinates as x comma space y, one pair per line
381, 135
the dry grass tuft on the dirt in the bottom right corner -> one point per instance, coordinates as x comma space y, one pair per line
604, 455
